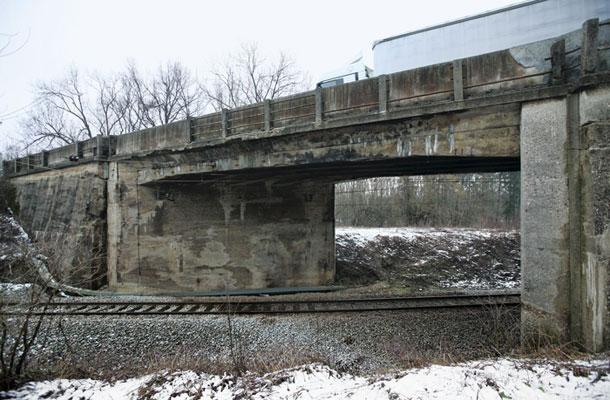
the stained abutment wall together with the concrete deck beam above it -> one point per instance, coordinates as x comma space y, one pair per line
260, 213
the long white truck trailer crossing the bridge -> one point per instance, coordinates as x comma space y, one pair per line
490, 31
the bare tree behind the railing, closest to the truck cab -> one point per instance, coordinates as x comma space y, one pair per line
248, 77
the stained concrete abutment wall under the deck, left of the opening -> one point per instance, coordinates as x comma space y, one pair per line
192, 237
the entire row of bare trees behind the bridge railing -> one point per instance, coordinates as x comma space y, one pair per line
78, 106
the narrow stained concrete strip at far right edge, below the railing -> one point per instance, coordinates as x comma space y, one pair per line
595, 229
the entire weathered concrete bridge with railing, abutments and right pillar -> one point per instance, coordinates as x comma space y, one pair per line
244, 198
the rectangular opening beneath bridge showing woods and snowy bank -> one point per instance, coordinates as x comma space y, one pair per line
428, 233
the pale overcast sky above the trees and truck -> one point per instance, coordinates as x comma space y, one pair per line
101, 35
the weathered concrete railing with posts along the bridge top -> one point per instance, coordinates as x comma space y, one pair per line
550, 62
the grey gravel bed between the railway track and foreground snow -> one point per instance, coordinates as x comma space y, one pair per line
356, 342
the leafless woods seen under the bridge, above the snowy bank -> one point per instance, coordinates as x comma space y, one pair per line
489, 200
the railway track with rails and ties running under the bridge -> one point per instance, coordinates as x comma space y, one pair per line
178, 307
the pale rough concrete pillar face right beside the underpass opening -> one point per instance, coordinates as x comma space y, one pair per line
545, 268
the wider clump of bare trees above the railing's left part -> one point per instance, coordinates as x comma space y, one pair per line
78, 107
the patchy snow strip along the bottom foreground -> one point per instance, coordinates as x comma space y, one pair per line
489, 379
